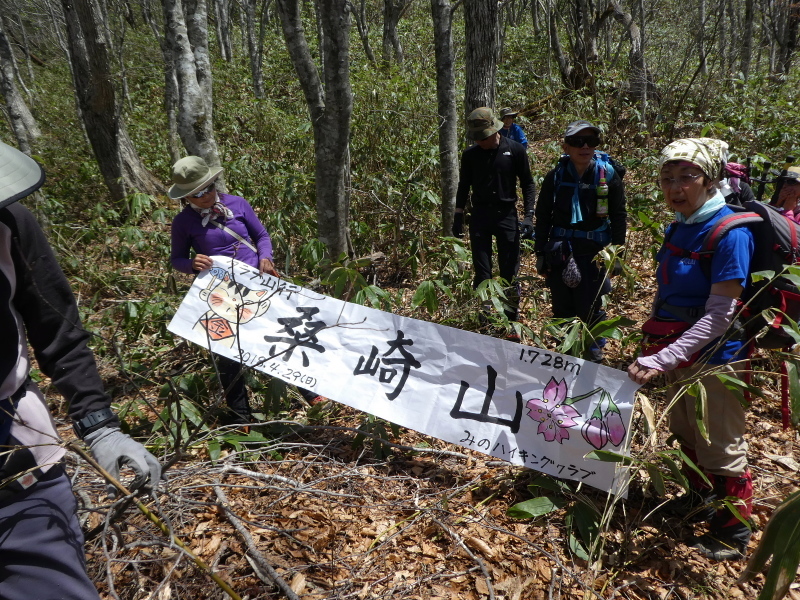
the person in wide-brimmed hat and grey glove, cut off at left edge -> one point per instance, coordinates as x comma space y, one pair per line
41, 543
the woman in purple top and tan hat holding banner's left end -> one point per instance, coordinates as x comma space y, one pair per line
213, 223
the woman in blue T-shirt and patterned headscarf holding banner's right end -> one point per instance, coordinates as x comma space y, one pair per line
695, 308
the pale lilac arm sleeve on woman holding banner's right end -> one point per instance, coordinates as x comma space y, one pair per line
719, 314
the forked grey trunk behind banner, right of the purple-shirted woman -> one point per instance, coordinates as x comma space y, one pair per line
330, 103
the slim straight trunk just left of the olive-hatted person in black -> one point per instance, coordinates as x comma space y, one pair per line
442, 13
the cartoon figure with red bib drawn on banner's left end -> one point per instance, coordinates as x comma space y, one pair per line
232, 304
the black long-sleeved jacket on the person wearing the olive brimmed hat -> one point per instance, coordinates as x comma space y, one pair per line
492, 176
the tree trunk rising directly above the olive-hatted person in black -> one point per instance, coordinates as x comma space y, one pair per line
481, 30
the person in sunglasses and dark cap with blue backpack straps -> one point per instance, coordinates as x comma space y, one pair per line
581, 209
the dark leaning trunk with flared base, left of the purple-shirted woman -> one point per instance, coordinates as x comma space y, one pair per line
116, 156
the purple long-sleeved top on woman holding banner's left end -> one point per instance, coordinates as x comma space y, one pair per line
188, 233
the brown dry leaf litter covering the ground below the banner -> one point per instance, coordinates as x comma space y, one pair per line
428, 520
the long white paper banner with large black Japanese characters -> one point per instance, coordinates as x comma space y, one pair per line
527, 406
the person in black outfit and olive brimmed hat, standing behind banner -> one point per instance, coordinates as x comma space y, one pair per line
490, 170
